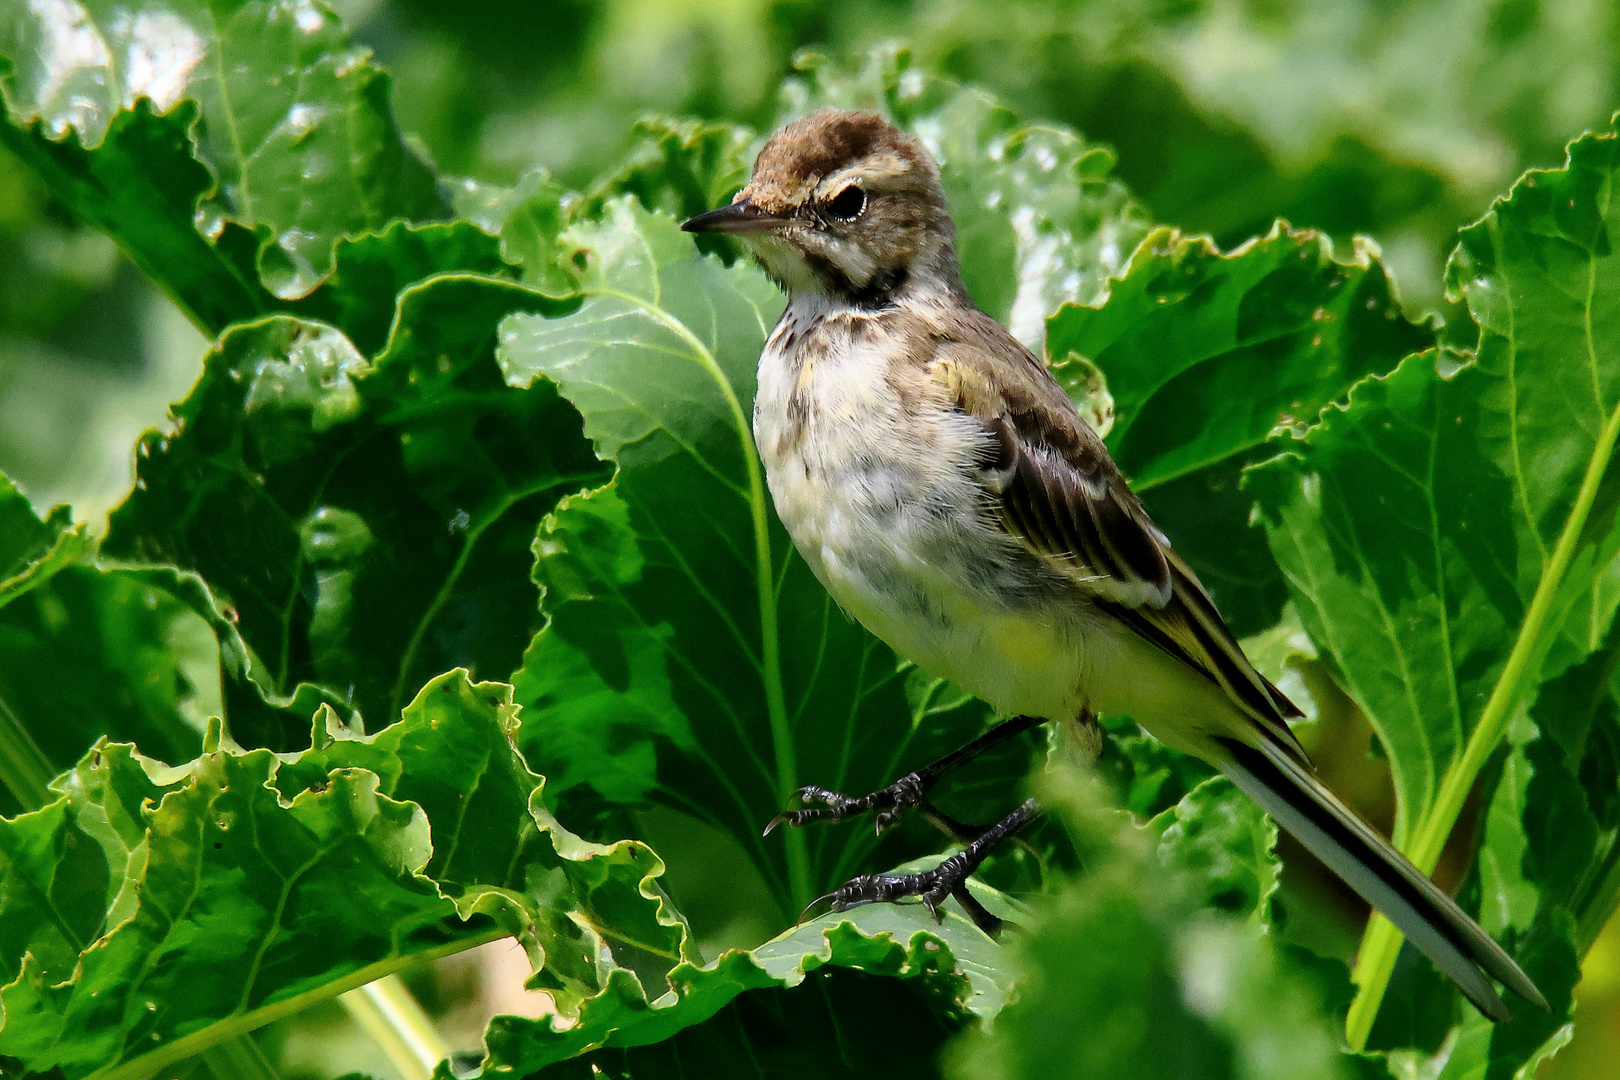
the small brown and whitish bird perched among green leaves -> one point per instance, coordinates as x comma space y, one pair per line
950, 496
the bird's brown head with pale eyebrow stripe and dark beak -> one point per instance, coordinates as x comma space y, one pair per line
843, 205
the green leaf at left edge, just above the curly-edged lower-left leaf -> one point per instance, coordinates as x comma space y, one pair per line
132, 653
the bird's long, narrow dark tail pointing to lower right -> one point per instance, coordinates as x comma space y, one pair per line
1386, 878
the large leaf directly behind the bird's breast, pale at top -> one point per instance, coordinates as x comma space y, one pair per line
691, 657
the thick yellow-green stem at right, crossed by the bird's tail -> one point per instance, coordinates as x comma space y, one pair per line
1381, 943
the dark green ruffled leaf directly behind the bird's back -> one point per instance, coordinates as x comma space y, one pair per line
1273, 331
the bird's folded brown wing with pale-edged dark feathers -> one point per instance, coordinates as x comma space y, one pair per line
1059, 491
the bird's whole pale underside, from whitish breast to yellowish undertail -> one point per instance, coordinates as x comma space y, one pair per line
885, 506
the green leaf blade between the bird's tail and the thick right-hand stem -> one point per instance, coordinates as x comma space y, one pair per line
1415, 642
